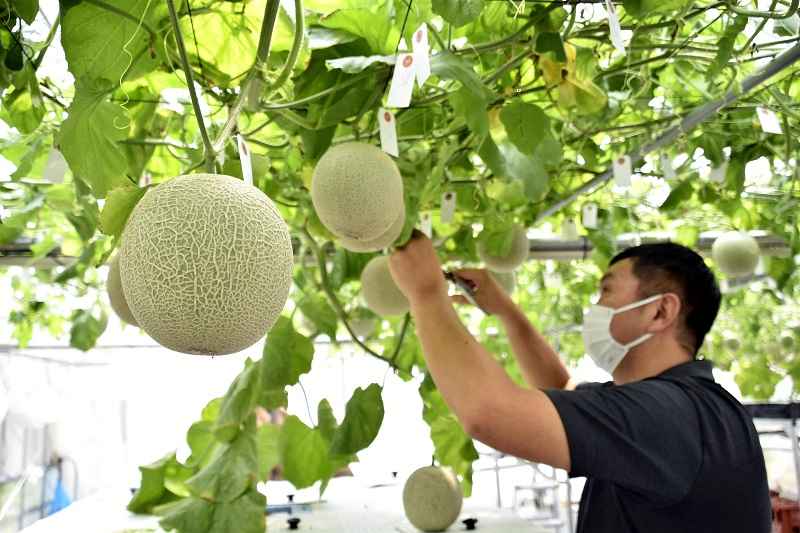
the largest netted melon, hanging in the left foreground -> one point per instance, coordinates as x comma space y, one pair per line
206, 264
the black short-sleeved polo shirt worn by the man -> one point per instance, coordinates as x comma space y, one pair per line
673, 453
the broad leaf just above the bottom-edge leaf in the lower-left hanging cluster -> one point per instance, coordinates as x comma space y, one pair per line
231, 472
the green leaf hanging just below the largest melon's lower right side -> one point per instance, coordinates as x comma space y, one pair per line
287, 355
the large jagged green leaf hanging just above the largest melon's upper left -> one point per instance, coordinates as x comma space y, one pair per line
89, 137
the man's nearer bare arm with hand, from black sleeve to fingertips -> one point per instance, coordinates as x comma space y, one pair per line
491, 407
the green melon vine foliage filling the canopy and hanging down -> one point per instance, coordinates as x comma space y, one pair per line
528, 101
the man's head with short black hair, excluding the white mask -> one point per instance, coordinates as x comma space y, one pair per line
691, 294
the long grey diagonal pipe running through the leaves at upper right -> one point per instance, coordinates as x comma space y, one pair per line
699, 115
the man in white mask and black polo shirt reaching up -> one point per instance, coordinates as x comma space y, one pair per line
664, 447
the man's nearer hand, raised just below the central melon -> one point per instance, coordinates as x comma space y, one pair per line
416, 269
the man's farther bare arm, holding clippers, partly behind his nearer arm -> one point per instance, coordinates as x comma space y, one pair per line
540, 364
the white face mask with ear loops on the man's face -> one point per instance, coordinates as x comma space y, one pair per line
601, 346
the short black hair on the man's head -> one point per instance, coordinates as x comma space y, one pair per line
671, 267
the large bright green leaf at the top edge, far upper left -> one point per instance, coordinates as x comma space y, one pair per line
101, 44
